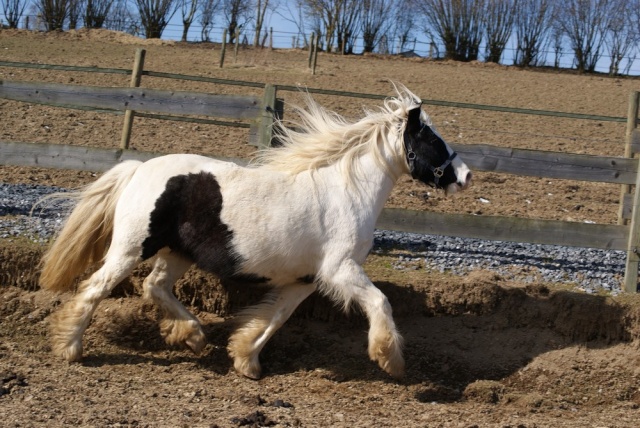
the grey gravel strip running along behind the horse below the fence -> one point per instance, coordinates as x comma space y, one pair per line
589, 269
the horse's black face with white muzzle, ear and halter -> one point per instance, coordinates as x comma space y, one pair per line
430, 159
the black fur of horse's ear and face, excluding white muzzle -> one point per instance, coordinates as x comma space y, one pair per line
430, 150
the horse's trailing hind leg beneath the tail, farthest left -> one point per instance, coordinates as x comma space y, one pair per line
69, 323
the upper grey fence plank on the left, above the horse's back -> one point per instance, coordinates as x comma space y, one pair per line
138, 99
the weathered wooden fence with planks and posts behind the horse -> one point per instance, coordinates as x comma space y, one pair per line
260, 115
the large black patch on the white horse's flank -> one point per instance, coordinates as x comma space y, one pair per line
186, 218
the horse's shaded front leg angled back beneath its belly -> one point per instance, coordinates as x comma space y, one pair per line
260, 323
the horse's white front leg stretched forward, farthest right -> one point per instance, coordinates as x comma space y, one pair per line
351, 283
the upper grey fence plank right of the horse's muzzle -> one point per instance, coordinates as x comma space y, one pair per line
548, 164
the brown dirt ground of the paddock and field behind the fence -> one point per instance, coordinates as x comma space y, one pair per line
480, 350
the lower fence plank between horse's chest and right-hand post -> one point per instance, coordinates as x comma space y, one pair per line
496, 228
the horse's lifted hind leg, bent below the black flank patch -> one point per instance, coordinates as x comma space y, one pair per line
179, 326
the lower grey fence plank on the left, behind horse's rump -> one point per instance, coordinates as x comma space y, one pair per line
72, 157
